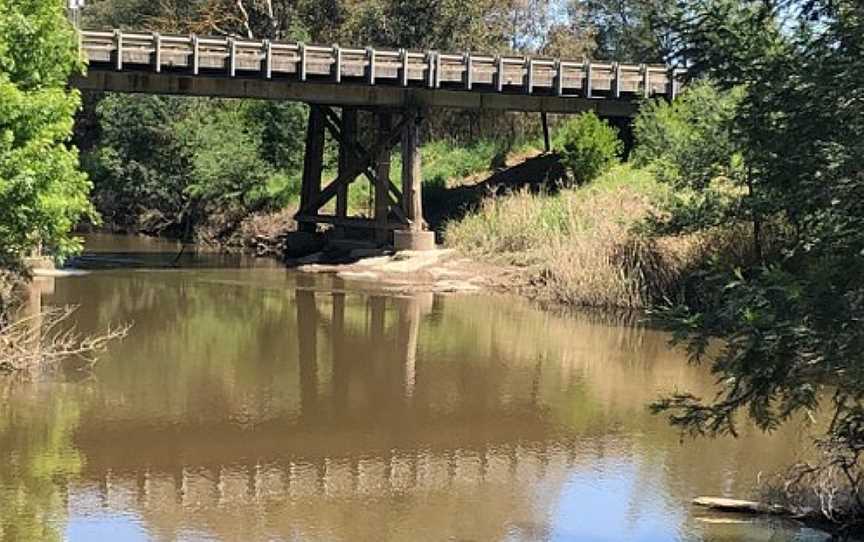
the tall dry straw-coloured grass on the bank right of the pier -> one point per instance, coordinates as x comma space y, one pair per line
581, 246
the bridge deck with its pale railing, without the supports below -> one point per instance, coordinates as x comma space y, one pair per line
228, 67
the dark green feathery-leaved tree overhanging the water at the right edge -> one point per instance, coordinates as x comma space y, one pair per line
790, 324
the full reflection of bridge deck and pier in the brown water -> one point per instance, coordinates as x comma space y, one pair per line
370, 428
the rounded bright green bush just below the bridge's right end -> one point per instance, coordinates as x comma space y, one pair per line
588, 146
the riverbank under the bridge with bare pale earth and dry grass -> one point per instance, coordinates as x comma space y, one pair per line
517, 230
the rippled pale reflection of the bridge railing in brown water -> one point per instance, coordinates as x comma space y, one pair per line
414, 472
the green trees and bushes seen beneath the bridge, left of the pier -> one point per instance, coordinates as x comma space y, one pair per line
170, 164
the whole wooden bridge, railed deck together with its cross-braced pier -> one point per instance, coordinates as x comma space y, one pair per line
398, 87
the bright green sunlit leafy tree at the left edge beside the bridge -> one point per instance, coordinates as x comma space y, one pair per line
43, 195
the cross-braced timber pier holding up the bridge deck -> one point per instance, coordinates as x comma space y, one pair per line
397, 215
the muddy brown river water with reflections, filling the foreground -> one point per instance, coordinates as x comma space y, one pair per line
253, 403
